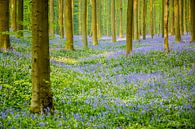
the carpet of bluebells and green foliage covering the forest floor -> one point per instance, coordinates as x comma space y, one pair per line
101, 88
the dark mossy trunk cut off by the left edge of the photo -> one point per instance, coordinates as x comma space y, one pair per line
4, 24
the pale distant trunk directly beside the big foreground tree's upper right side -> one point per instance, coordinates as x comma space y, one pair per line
51, 18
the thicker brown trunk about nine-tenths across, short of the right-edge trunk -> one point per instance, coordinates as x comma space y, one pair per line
177, 26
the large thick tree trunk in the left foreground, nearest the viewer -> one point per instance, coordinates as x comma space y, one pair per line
42, 98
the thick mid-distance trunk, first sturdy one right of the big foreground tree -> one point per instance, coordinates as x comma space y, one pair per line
69, 25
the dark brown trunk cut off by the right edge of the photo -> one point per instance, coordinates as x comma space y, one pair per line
192, 21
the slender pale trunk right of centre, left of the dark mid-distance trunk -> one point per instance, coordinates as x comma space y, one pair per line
113, 22
